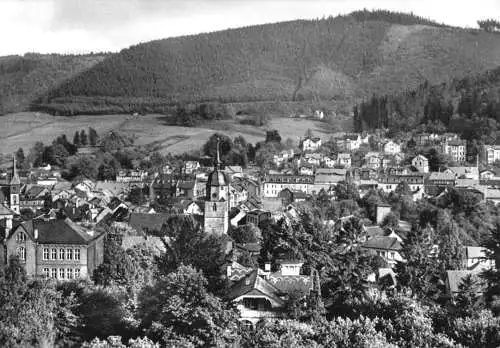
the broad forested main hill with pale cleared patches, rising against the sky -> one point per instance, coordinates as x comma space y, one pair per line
338, 59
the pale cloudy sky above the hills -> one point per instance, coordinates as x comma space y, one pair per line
82, 26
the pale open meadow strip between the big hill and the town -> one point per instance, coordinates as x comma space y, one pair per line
24, 129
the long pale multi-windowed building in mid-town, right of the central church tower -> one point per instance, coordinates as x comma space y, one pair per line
275, 183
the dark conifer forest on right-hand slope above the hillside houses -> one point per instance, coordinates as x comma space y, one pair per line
469, 106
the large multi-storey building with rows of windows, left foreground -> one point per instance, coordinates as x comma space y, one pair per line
57, 249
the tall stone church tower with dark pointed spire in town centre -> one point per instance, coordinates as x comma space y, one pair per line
216, 220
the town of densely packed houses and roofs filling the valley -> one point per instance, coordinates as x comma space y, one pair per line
364, 185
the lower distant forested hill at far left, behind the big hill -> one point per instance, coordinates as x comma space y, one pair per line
24, 78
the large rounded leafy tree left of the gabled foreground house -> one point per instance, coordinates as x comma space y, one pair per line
179, 307
